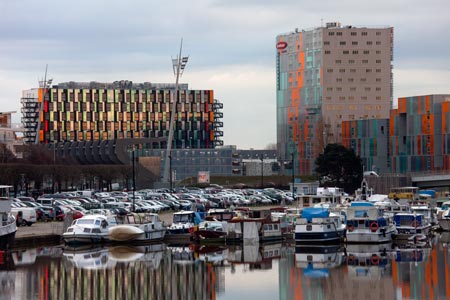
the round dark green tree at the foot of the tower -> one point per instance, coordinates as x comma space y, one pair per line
340, 167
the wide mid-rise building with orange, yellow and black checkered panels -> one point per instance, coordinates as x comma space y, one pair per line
86, 120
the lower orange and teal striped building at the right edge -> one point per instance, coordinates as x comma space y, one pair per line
417, 135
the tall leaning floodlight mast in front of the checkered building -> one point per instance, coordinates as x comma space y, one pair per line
179, 64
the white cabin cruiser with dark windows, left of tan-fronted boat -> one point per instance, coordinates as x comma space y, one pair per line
89, 229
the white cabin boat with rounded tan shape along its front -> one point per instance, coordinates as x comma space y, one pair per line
138, 227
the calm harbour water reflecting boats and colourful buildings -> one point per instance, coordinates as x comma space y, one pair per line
254, 272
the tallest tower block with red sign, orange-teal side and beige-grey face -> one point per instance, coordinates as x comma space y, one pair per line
327, 75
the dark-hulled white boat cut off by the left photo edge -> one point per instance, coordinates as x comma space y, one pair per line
8, 225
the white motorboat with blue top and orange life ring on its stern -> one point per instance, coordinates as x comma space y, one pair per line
366, 223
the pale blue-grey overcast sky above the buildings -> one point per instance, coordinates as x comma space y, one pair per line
231, 44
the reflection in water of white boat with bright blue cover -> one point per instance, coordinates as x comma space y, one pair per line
317, 261
